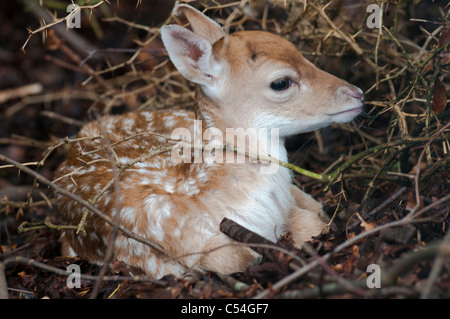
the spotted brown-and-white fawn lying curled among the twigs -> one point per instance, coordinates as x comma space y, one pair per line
249, 79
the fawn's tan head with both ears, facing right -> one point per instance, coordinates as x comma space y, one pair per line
257, 79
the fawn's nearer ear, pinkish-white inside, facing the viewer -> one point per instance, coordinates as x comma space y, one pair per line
191, 54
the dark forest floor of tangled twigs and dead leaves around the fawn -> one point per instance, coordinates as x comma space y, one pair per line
385, 177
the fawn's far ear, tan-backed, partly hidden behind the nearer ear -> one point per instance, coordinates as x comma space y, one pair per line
200, 24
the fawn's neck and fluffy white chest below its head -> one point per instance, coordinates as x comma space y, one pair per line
265, 186
